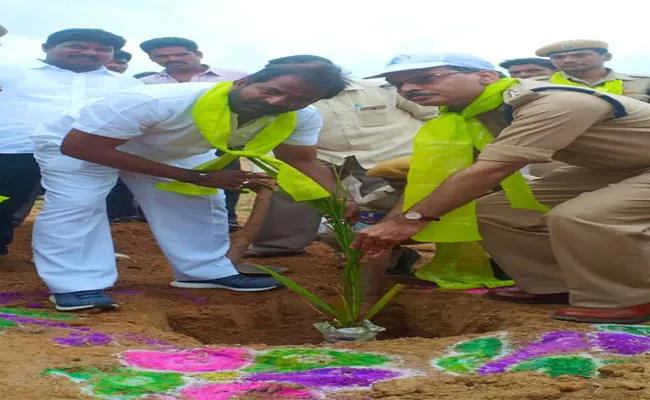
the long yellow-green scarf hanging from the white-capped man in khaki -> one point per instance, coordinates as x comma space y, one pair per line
442, 147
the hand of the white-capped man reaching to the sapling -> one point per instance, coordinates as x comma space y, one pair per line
374, 240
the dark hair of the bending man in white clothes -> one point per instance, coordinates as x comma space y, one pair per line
324, 76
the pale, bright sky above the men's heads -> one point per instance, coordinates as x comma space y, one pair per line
360, 35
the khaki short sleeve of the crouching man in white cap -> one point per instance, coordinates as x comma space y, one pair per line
546, 125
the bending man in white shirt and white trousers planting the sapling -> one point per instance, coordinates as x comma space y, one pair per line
148, 136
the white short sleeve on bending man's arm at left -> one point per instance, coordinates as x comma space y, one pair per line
120, 116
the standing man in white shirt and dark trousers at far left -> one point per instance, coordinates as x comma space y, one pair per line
71, 75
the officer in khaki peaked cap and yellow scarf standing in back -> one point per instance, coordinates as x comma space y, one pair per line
582, 63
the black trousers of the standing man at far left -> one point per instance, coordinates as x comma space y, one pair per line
19, 177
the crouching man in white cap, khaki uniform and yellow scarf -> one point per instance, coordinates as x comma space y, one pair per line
578, 235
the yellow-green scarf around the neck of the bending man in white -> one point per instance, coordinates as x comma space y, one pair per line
212, 116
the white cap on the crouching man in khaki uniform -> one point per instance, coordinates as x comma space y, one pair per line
408, 62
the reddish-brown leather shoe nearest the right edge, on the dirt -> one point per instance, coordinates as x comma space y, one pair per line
625, 315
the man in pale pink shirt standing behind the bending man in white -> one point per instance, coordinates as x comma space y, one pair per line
182, 61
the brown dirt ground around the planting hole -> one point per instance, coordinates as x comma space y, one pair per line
420, 326
